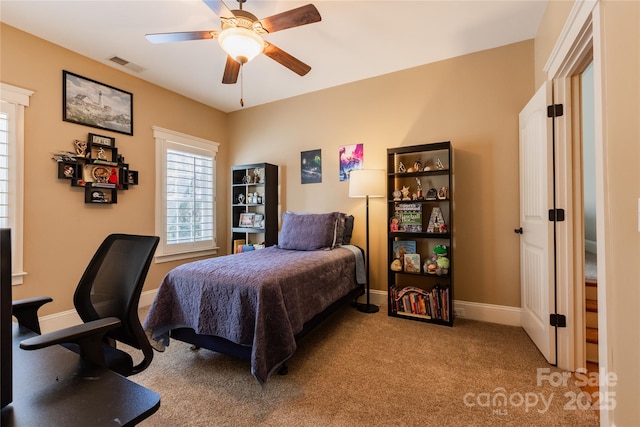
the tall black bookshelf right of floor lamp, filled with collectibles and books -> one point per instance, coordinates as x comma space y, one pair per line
424, 294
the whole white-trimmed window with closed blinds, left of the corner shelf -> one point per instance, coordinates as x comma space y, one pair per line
185, 195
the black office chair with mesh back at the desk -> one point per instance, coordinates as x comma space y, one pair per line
107, 300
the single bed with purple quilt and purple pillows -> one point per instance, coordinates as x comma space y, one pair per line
256, 305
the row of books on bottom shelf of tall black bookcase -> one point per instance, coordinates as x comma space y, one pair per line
413, 301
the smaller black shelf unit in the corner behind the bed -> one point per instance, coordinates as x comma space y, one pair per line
261, 180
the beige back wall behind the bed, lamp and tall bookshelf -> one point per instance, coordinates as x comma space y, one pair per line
473, 101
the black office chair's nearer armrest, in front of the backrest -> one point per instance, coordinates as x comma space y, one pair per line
88, 336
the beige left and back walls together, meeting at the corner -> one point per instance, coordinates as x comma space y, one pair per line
473, 101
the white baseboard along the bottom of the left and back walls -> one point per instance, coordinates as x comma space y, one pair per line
501, 314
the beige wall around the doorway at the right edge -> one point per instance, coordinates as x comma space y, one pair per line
620, 83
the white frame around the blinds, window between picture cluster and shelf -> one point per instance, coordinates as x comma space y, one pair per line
166, 139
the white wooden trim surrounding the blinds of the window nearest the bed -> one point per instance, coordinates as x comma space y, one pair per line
163, 137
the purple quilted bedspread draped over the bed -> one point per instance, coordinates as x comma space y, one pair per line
259, 299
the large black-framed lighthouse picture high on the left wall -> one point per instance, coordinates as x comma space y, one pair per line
91, 103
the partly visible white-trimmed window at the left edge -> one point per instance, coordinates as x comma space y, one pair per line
12, 103
